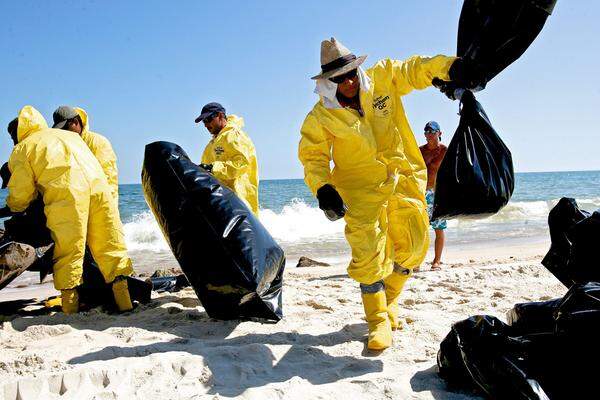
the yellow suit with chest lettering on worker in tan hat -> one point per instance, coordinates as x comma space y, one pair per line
379, 171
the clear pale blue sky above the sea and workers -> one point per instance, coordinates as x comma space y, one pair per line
143, 70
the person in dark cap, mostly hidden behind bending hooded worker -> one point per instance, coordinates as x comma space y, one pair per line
65, 117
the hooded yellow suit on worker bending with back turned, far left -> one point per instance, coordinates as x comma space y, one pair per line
78, 205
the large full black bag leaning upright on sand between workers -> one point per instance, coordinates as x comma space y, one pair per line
229, 258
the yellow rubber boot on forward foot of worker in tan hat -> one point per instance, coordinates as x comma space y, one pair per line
380, 330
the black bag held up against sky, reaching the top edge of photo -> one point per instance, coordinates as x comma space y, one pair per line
492, 34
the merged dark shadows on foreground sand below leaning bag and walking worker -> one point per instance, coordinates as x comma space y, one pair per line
236, 363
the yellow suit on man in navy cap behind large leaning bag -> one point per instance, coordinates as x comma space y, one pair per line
233, 158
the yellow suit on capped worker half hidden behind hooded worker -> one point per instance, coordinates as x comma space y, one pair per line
102, 149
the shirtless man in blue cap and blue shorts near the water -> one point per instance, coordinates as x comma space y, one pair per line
433, 153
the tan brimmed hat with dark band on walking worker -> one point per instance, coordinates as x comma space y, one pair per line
336, 59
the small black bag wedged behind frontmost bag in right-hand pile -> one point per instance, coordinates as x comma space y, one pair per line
534, 317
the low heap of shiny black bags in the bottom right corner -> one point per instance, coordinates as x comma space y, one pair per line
554, 353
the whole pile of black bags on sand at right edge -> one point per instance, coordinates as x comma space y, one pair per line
548, 350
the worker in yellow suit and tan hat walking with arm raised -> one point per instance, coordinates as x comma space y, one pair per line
379, 177
